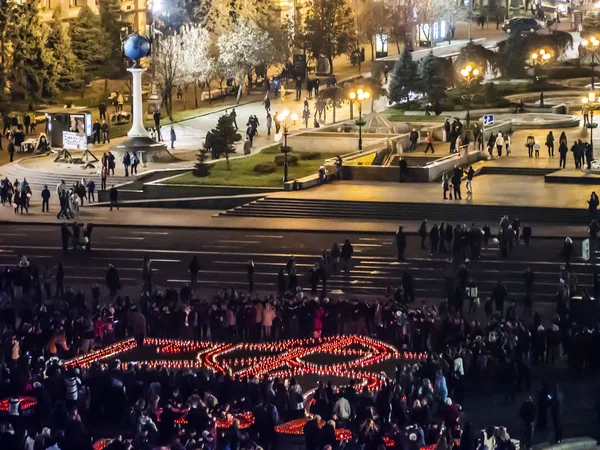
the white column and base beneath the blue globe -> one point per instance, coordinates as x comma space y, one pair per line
139, 141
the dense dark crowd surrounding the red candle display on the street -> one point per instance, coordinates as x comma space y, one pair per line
418, 405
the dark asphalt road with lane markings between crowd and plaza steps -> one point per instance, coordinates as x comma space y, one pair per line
224, 254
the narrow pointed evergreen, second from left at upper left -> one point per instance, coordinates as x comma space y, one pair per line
59, 42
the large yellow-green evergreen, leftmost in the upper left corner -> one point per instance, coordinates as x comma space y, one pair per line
33, 73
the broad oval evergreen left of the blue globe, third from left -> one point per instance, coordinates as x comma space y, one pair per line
89, 41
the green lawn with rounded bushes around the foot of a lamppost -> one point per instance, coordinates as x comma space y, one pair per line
242, 171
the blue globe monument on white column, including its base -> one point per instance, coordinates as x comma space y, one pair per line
138, 140
